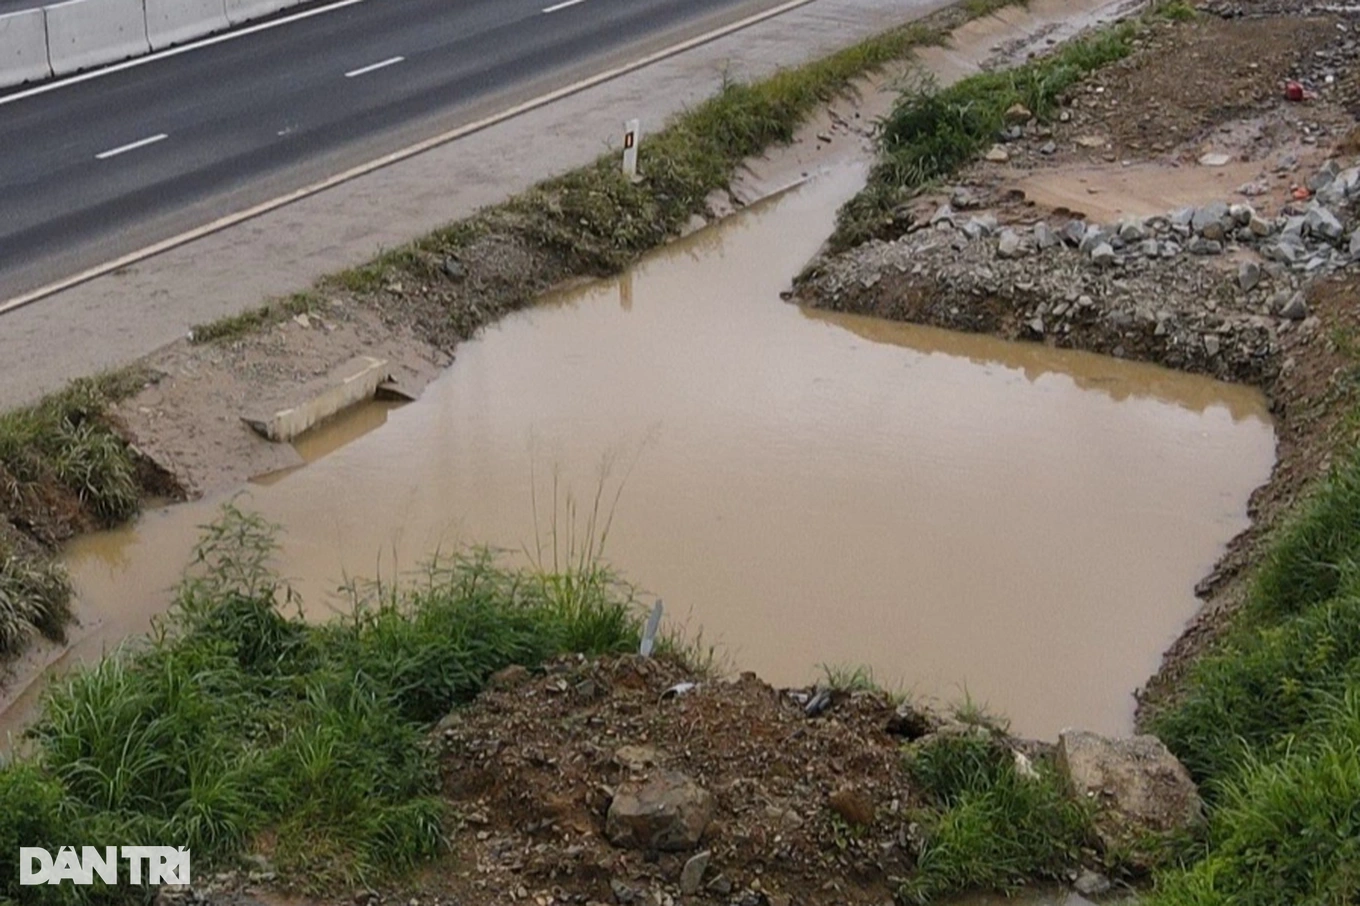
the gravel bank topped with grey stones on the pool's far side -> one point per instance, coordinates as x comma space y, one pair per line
1207, 289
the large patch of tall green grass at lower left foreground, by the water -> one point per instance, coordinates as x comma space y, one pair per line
237, 727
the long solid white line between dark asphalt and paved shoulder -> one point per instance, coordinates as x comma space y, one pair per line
396, 157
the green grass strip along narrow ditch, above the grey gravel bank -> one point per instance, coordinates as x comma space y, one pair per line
934, 133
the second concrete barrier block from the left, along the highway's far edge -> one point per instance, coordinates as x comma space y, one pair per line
89, 33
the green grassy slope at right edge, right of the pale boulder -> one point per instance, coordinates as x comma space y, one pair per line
1270, 722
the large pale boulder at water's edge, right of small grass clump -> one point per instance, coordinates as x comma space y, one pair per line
1139, 787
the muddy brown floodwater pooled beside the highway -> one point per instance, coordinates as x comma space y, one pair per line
965, 516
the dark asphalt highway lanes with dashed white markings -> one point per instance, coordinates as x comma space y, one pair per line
108, 165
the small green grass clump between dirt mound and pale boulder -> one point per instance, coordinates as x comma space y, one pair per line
988, 825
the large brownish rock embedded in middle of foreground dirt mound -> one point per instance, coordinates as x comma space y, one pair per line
667, 813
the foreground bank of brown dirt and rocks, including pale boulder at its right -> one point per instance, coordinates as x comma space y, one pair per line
640, 783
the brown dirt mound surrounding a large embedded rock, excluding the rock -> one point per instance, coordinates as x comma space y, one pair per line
535, 764
